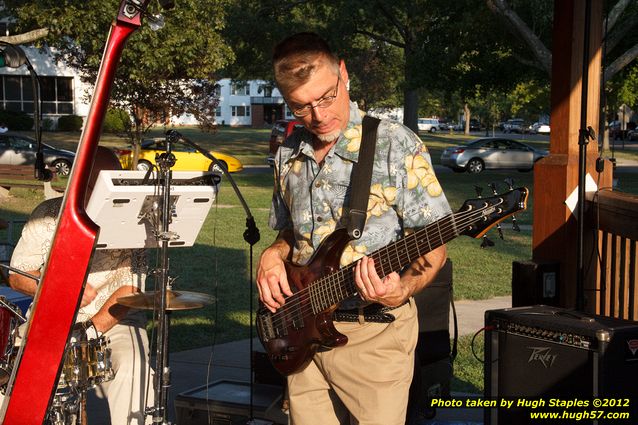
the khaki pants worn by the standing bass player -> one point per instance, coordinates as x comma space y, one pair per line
365, 382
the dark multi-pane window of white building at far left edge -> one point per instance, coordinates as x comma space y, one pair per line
56, 94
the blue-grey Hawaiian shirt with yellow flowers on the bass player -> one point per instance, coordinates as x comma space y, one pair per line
404, 195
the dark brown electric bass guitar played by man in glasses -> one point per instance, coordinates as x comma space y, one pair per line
292, 334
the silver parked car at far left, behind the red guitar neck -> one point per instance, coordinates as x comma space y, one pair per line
21, 150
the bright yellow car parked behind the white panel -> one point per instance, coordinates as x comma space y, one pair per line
186, 158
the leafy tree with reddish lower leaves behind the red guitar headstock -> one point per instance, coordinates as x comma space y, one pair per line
160, 71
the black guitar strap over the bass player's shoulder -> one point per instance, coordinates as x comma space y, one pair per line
361, 178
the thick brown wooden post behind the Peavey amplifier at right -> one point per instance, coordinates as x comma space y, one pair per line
556, 176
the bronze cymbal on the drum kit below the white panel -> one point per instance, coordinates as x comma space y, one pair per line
175, 300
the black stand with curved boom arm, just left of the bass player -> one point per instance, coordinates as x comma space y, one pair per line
251, 236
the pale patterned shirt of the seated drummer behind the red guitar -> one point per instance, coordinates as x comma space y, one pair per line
109, 269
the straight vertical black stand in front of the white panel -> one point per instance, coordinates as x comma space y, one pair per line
162, 368
